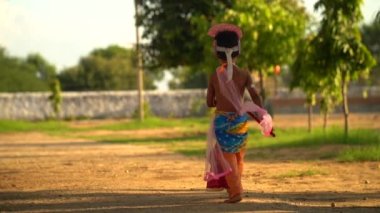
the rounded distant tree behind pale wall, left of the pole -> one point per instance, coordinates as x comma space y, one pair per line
111, 68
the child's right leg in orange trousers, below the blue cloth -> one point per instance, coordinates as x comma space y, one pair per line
233, 179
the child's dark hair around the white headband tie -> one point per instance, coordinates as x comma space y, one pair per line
226, 39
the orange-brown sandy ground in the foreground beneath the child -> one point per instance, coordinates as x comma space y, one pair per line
40, 173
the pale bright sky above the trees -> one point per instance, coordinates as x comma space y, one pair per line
62, 31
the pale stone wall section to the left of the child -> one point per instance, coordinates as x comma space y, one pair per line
111, 104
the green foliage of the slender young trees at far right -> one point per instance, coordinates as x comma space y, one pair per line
326, 63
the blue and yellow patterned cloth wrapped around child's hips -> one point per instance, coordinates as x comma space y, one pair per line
231, 131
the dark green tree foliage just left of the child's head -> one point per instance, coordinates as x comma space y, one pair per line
169, 29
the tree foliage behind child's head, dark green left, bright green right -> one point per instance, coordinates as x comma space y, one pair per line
177, 34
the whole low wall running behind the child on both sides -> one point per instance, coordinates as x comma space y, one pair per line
177, 103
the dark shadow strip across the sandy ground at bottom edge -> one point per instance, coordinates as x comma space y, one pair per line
181, 201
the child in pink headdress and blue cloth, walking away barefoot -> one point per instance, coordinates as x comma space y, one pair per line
228, 132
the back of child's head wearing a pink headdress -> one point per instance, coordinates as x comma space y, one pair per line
226, 36
